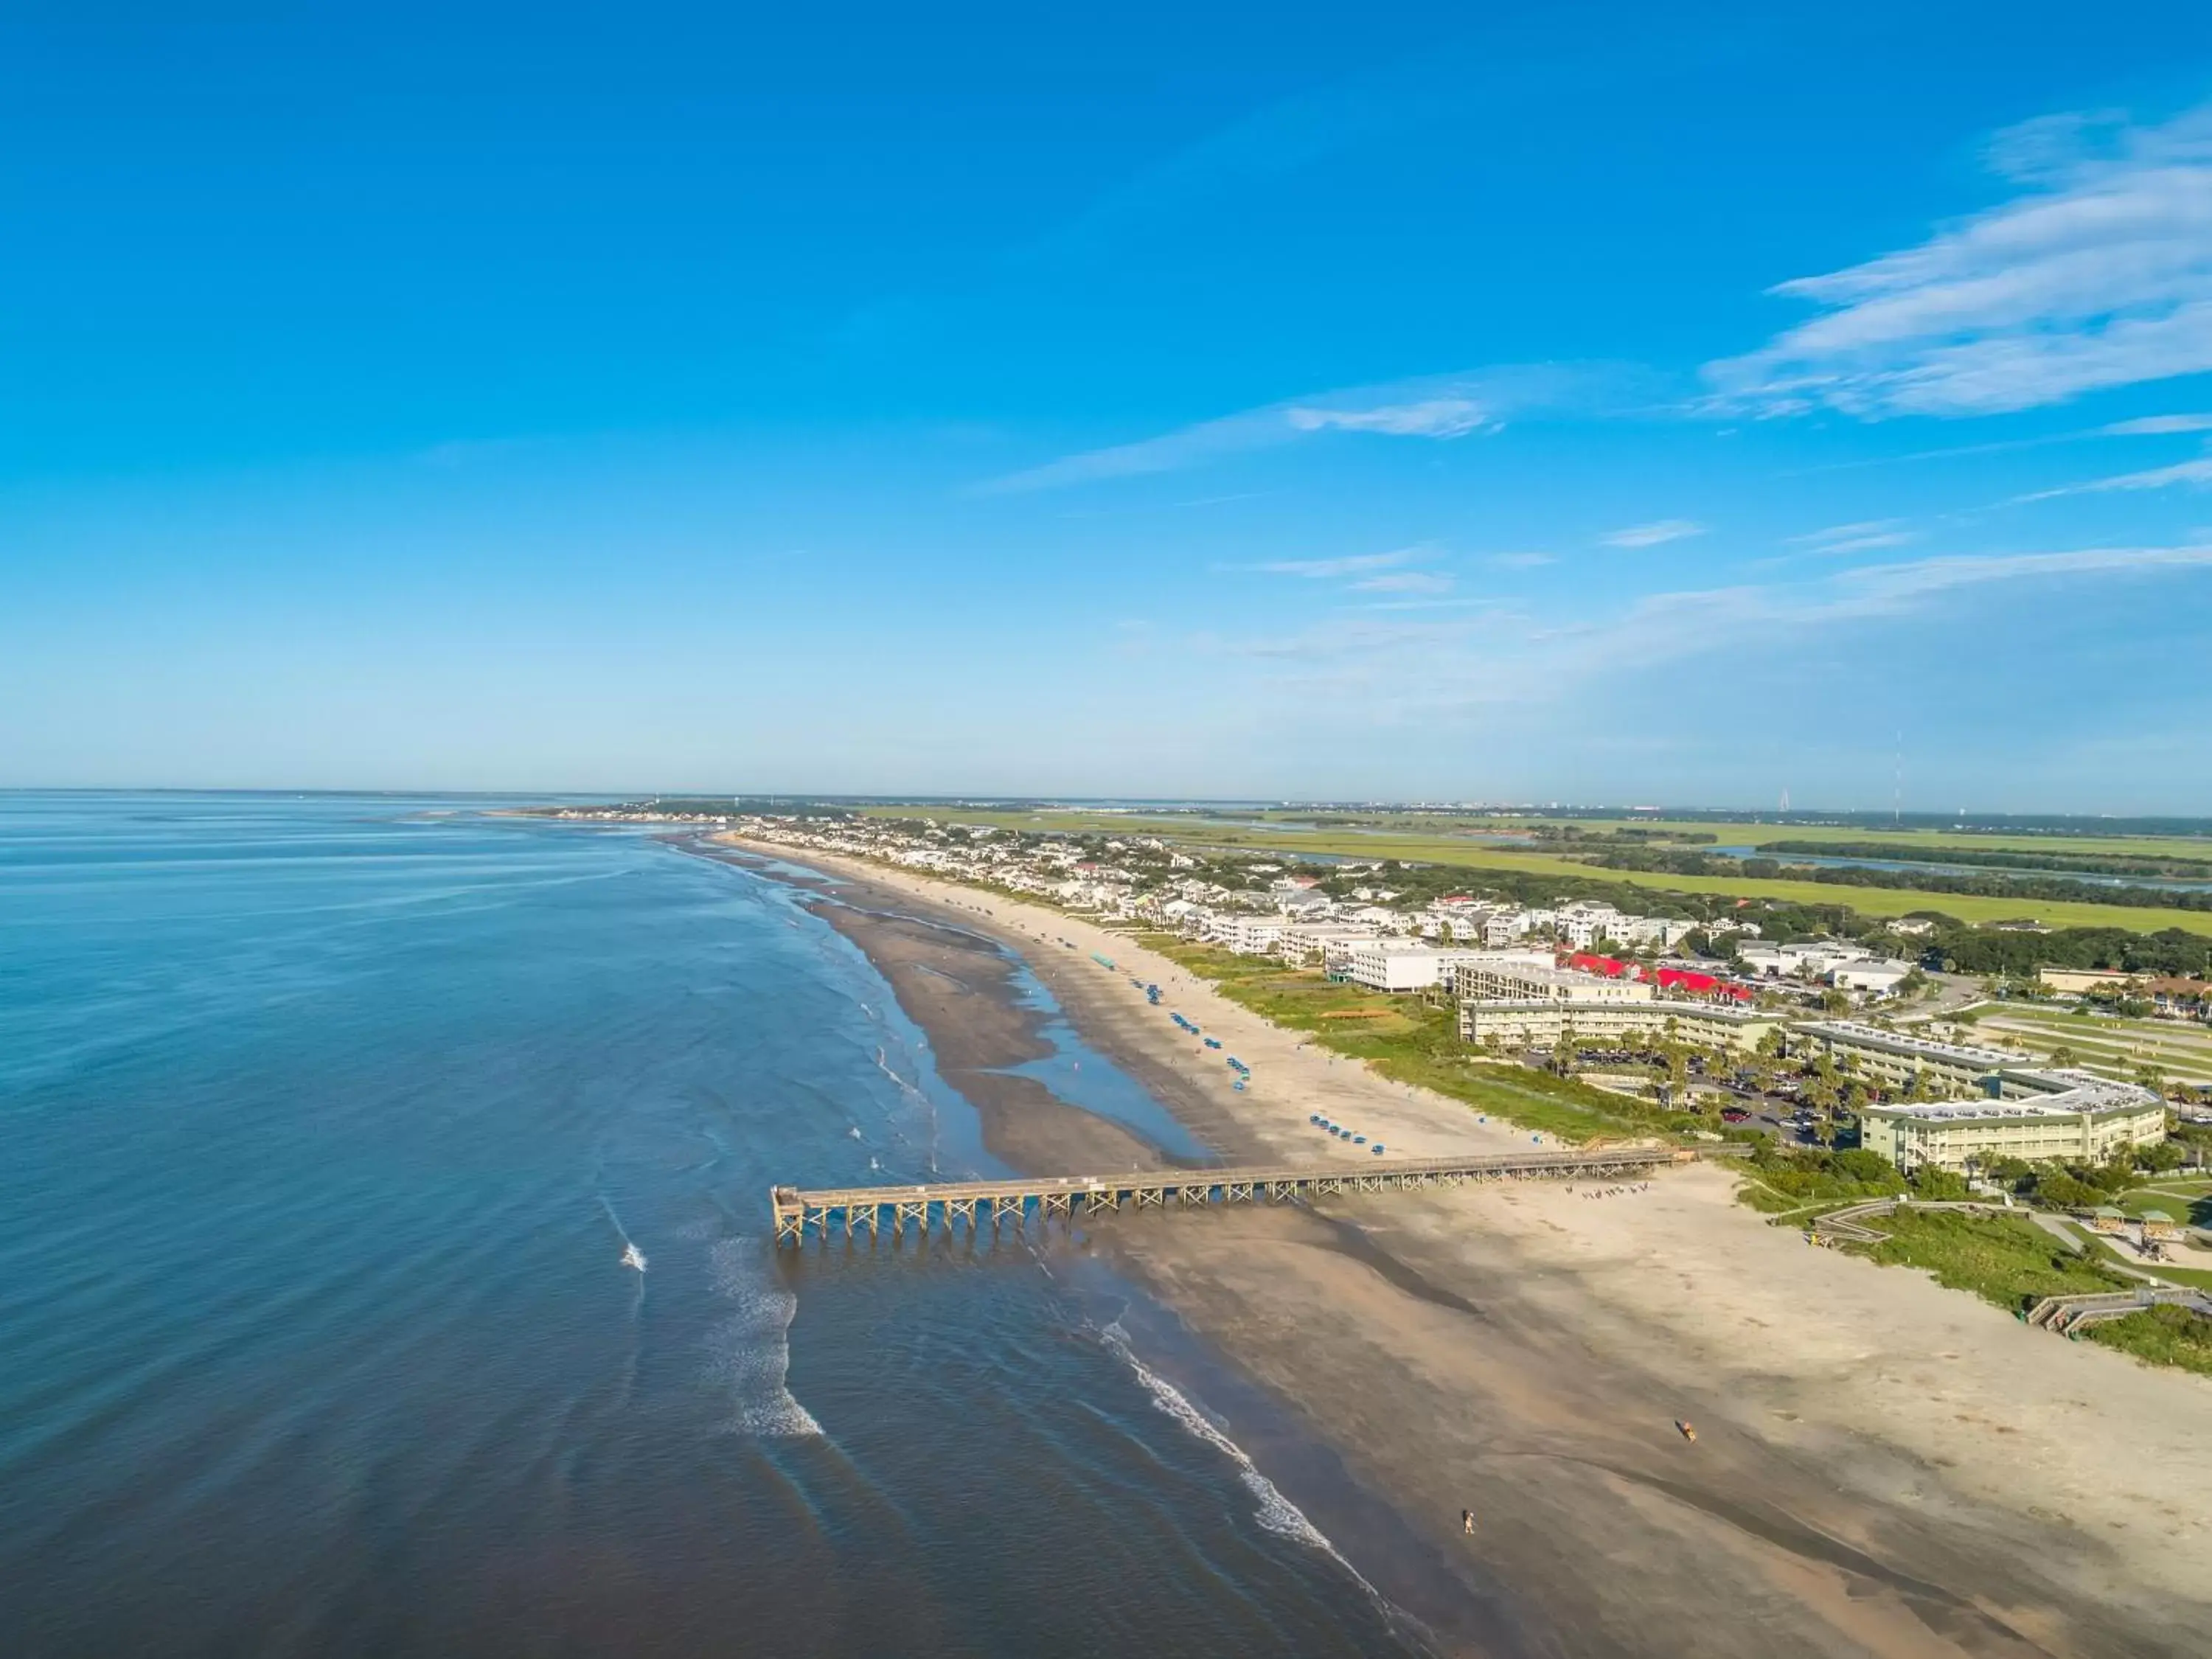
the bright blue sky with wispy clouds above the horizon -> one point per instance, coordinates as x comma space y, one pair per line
1614, 406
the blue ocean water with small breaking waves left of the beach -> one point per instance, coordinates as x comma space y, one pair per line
326, 1123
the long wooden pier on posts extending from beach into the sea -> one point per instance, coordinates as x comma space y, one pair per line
877, 1209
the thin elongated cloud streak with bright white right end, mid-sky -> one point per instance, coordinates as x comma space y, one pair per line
1434, 408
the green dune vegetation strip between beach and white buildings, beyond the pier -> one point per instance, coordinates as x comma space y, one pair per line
1417, 1045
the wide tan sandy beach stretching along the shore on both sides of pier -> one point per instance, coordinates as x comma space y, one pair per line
1884, 1468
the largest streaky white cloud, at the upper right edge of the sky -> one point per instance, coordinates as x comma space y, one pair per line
2098, 275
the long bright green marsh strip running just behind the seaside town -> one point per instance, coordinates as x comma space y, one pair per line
1474, 857
